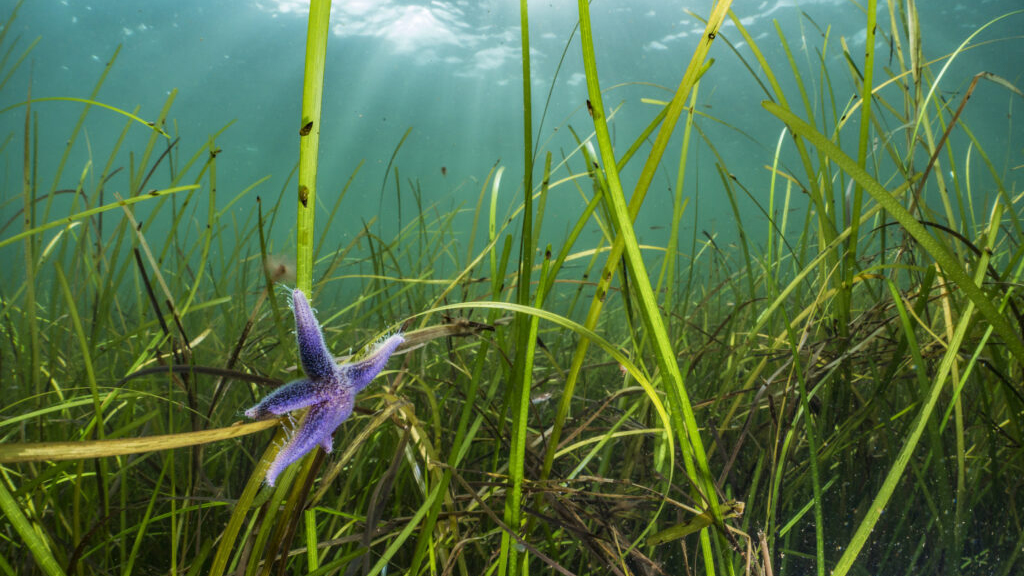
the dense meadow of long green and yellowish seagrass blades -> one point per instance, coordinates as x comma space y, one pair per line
842, 396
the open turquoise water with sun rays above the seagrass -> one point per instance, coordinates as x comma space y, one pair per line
452, 72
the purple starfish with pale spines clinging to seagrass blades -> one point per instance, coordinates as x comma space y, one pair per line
329, 391
